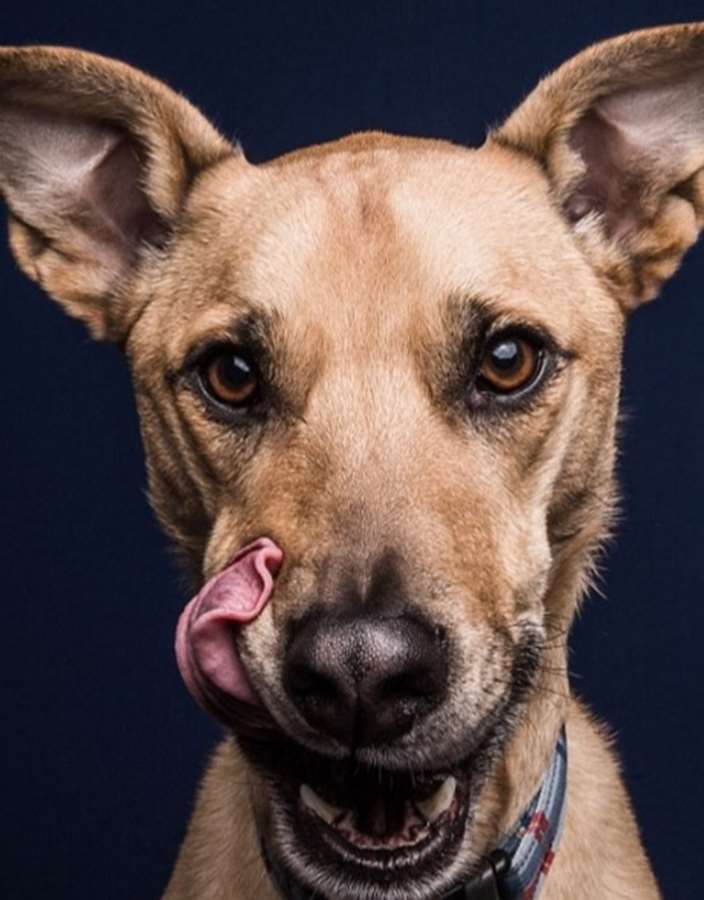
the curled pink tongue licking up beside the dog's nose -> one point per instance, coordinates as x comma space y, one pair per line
205, 637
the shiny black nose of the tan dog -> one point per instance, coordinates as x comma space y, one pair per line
365, 680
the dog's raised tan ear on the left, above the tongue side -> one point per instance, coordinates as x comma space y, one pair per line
96, 159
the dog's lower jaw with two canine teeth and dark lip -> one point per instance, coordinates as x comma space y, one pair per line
326, 850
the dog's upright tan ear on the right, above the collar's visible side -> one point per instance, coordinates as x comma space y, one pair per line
620, 131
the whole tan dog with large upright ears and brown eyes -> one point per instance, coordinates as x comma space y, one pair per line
398, 359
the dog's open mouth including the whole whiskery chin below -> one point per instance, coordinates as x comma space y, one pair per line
348, 830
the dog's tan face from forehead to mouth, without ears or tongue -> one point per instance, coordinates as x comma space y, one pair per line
367, 366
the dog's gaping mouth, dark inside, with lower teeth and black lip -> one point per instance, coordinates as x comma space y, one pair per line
377, 826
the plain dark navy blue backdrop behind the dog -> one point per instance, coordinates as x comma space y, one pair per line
102, 745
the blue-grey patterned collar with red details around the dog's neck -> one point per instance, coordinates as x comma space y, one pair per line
516, 870
